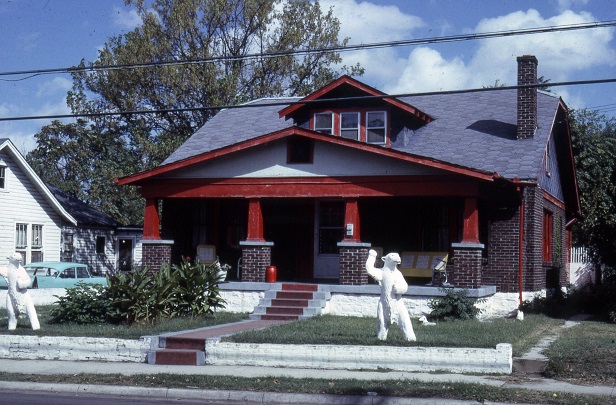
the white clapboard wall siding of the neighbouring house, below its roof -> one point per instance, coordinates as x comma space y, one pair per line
22, 202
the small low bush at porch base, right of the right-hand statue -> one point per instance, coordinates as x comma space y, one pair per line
453, 306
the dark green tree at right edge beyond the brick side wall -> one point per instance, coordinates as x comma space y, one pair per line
594, 150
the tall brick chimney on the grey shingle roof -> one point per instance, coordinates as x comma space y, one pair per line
527, 97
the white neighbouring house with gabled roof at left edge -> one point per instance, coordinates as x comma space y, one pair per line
31, 218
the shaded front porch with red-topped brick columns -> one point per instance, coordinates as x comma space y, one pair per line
316, 239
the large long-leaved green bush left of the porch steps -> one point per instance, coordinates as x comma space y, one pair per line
187, 289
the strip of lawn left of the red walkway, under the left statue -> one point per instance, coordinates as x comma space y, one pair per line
134, 331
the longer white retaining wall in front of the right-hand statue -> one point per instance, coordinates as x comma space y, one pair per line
413, 359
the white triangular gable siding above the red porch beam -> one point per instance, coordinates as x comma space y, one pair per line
329, 160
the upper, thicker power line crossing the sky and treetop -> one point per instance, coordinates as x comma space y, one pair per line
341, 48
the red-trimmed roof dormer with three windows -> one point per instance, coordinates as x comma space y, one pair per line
353, 110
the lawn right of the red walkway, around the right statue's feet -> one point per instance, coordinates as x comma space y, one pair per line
347, 330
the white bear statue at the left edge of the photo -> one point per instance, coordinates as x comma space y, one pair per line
18, 300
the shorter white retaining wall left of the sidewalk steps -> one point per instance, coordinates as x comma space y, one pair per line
75, 348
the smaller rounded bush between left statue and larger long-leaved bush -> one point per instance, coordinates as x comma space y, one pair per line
82, 304
